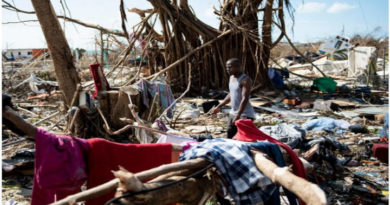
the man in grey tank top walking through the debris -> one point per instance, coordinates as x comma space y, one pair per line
239, 89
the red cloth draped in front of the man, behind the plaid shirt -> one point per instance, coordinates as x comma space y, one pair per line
248, 132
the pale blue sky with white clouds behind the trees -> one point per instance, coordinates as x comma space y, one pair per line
314, 20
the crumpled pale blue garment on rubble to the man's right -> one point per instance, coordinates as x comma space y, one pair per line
325, 123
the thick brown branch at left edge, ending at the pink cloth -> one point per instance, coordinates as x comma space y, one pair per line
20, 123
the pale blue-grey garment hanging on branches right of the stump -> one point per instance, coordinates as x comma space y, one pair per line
151, 88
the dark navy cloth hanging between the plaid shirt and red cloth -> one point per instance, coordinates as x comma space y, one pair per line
273, 151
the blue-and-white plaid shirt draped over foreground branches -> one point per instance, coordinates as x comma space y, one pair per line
233, 159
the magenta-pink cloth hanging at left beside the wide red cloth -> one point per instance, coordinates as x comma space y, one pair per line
60, 166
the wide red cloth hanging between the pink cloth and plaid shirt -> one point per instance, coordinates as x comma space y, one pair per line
105, 156
